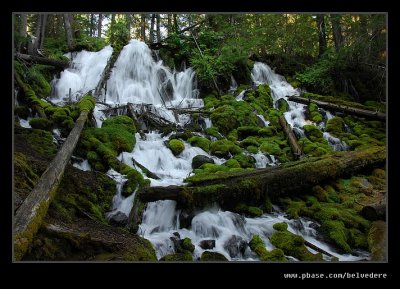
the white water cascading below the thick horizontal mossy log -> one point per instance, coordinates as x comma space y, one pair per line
161, 220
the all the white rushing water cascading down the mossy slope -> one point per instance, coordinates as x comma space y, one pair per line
137, 78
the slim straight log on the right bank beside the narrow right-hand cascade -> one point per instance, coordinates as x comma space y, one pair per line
341, 108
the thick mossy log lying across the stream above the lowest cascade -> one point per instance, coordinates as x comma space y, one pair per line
253, 187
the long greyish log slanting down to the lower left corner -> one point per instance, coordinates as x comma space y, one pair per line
30, 214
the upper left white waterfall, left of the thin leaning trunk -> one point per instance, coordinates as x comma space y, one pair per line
84, 75
